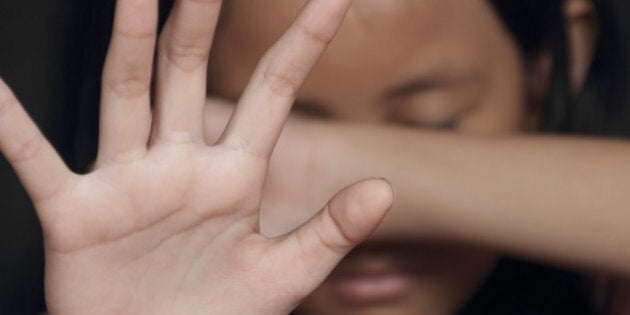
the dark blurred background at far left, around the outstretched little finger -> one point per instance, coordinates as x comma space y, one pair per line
42, 57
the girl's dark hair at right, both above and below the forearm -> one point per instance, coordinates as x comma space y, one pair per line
600, 108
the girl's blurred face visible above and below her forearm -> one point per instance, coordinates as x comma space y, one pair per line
430, 64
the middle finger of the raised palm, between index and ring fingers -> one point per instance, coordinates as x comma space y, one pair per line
182, 64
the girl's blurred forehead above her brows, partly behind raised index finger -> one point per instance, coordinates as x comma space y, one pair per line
392, 39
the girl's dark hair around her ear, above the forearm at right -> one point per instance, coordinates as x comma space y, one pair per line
601, 107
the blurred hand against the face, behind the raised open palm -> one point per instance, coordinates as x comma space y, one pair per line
294, 189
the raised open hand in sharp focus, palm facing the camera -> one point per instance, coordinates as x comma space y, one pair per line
166, 224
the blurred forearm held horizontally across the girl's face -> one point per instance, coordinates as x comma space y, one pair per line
559, 199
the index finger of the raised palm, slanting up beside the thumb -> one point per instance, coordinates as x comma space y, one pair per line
266, 102
